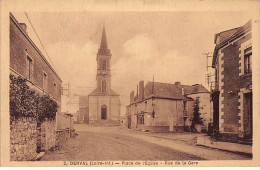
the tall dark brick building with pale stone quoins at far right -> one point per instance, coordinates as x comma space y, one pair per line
232, 93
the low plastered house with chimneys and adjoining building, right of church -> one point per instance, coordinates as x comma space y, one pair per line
163, 107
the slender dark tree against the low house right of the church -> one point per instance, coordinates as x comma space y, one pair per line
196, 119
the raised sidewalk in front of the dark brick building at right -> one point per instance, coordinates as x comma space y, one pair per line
226, 146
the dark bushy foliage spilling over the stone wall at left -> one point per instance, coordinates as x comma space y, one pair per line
24, 102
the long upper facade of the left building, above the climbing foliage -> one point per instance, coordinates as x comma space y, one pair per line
27, 61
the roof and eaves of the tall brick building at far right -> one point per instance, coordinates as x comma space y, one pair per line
223, 38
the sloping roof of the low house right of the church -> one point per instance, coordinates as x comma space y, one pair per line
171, 91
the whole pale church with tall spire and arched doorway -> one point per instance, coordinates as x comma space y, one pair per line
103, 102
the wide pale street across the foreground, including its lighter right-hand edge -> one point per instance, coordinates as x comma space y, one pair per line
114, 143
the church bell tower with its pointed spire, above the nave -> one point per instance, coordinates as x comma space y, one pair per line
103, 66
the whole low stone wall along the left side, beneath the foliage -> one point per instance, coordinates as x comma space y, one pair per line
26, 139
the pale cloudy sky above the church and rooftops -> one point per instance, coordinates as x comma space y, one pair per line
166, 45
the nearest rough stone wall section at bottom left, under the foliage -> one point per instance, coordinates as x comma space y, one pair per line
23, 139
